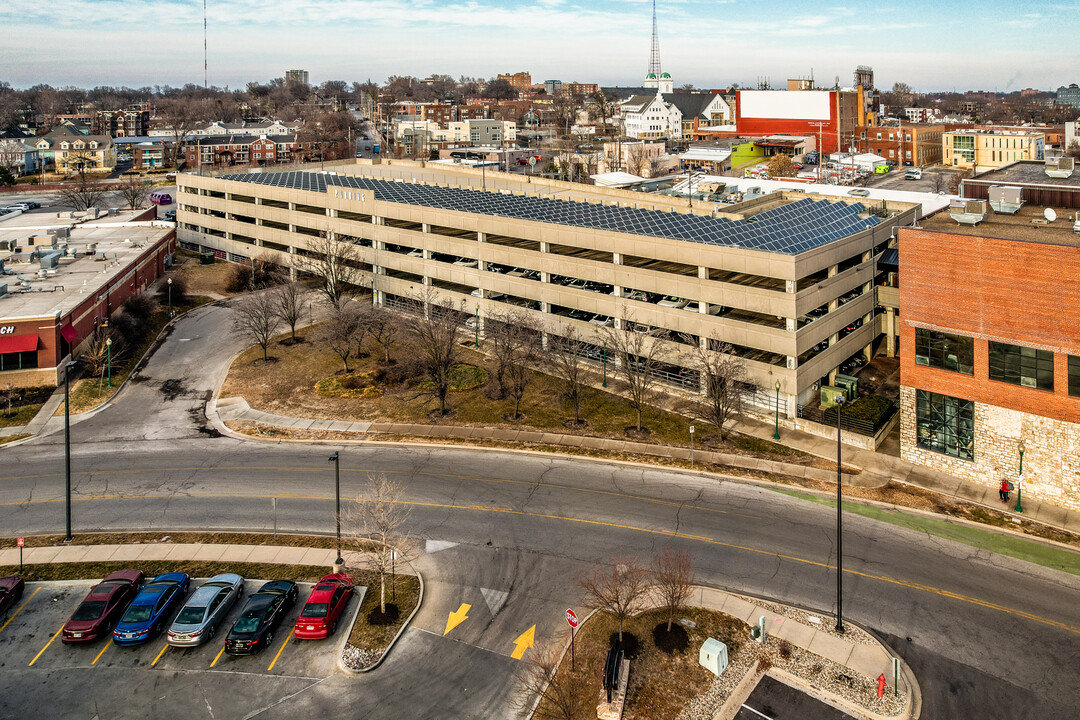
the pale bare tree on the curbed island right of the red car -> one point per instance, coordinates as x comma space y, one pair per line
376, 524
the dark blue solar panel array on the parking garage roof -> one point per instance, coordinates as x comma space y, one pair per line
790, 229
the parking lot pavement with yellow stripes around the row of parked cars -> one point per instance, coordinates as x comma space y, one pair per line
30, 639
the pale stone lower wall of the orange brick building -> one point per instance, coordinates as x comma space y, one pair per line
1051, 452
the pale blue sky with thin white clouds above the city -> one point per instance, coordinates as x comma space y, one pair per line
931, 46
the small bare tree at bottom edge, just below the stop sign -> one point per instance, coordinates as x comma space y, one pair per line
559, 694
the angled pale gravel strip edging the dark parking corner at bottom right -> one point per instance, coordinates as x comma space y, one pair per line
817, 672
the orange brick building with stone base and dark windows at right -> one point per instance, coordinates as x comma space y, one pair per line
990, 335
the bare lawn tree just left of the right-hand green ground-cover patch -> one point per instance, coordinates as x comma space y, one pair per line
436, 333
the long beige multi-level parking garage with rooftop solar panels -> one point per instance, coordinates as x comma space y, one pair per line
787, 281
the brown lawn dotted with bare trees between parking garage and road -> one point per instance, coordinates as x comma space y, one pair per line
289, 387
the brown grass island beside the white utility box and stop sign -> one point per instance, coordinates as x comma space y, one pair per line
661, 685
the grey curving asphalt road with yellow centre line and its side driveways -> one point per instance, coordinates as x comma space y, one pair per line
509, 534
